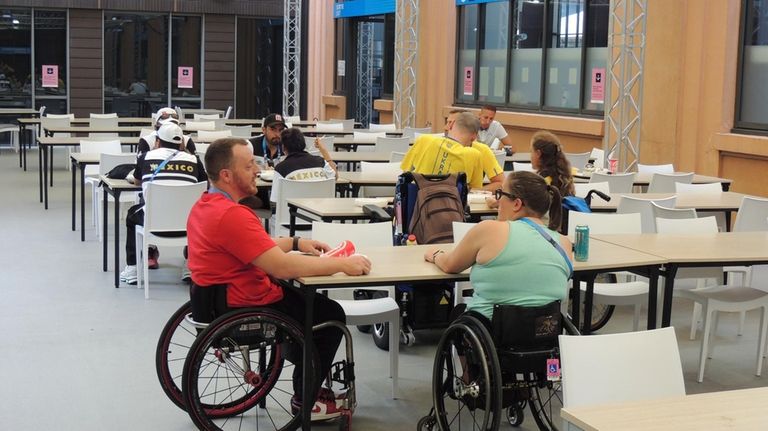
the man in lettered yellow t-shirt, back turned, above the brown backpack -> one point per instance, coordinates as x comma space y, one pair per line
436, 155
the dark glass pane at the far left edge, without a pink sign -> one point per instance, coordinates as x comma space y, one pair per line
15, 58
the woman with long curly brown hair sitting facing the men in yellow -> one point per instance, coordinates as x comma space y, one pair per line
548, 159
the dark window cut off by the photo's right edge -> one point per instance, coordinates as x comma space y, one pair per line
751, 110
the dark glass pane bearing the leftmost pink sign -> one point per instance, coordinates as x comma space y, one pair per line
51, 61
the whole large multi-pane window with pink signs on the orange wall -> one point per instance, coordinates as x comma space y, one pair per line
536, 55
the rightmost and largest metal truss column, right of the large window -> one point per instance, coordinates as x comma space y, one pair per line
624, 89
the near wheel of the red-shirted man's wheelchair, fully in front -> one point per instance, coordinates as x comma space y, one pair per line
239, 372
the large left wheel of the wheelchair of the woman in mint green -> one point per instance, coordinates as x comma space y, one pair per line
466, 381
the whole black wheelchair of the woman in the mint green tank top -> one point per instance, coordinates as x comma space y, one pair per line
484, 370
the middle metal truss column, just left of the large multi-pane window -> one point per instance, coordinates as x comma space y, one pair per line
406, 47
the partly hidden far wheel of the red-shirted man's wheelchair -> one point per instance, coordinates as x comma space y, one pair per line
172, 348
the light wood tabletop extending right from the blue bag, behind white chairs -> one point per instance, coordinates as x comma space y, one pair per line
725, 201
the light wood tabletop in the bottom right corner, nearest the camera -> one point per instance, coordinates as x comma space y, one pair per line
742, 410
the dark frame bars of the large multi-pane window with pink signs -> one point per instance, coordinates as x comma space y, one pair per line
546, 40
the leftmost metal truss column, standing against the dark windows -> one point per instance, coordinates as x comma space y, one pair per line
291, 57
